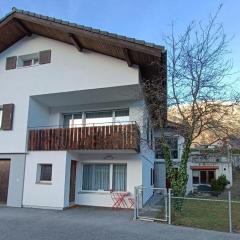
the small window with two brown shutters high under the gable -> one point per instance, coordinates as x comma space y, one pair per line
28, 60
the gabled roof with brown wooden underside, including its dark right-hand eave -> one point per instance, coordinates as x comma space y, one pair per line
150, 58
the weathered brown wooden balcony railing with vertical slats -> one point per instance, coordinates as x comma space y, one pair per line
109, 137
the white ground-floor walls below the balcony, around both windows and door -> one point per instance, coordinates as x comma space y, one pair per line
56, 195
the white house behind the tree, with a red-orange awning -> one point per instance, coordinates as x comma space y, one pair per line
204, 165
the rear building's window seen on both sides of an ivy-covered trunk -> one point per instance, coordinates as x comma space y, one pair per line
173, 145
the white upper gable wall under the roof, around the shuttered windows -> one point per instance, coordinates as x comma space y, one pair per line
69, 70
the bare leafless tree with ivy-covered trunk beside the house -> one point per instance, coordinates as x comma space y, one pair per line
197, 65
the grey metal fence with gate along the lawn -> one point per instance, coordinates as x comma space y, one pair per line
205, 210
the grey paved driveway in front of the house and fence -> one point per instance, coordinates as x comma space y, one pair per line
91, 223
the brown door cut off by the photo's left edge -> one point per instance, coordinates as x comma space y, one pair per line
4, 178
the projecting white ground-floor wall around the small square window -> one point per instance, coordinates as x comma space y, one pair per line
45, 195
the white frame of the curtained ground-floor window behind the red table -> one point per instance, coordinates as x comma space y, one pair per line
110, 177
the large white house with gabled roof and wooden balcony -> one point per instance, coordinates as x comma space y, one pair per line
72, 113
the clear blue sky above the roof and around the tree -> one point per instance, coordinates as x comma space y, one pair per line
143, 19
